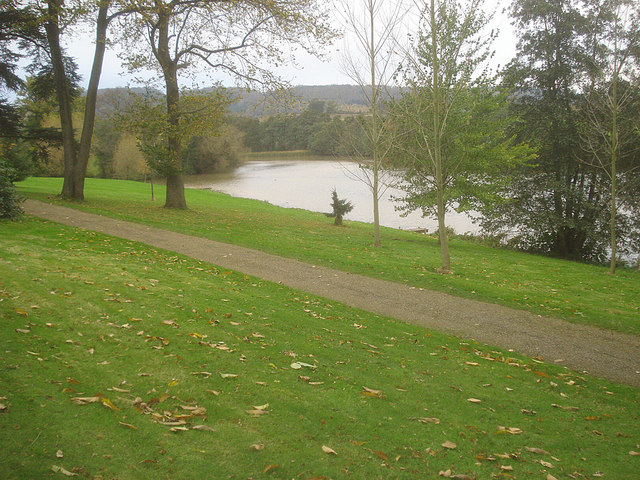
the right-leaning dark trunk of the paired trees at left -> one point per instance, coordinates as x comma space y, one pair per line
80, 170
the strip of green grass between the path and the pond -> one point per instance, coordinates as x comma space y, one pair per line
576, 292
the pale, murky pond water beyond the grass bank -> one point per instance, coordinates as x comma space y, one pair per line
307, 183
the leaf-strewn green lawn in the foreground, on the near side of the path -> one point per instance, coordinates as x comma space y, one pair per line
83, 314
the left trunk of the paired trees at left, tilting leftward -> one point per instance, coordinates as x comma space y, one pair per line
52, 29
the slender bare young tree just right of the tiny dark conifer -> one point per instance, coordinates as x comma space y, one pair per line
374, 25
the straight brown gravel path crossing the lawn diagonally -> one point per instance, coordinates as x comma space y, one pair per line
583, 348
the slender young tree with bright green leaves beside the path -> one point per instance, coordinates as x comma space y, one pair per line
449, 122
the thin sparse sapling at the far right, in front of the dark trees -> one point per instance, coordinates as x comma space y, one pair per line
609, 130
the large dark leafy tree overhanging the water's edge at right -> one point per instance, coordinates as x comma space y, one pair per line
562, 207
